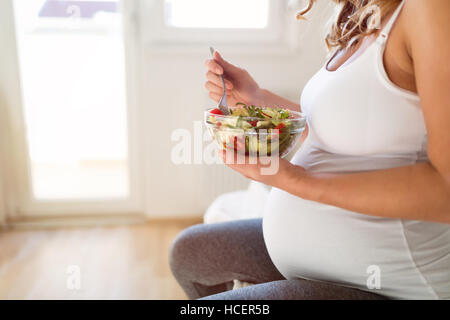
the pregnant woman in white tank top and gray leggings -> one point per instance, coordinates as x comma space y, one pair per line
363, 209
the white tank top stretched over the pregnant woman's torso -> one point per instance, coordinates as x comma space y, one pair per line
359, 121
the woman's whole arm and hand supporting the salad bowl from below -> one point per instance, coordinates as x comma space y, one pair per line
417, 192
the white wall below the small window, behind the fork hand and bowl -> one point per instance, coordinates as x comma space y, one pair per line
173, 95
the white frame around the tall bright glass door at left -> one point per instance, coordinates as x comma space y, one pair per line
25, 204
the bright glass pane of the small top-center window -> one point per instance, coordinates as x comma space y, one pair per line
247, 14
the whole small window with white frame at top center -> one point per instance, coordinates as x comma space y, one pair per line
235, 22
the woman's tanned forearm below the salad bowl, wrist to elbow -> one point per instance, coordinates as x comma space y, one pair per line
418, 192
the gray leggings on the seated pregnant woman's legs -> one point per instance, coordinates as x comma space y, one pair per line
205, 259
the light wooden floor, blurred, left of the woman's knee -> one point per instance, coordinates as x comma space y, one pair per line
127, 262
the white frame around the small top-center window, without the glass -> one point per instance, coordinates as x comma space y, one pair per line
156, 34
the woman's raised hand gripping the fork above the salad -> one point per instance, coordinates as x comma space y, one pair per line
241, 87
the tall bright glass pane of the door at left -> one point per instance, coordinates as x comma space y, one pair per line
73, 81
